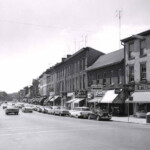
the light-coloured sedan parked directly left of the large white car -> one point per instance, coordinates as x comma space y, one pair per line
62, 111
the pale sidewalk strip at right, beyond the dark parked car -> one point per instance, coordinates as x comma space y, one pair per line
131, 120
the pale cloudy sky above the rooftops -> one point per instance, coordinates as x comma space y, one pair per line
36, 34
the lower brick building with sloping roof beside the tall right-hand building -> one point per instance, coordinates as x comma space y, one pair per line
104, 77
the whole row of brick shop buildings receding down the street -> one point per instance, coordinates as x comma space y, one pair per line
91, 78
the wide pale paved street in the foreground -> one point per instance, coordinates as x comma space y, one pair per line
37, 131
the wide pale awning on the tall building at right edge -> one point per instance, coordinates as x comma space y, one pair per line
140, 97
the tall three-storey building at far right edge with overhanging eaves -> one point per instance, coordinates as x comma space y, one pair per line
137, 72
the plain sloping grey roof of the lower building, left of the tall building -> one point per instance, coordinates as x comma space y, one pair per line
108, 59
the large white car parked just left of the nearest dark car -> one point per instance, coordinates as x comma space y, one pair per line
80, 112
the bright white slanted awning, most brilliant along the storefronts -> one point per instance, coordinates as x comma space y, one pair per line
109, 96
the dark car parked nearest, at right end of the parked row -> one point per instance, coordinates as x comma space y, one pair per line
100, 115
